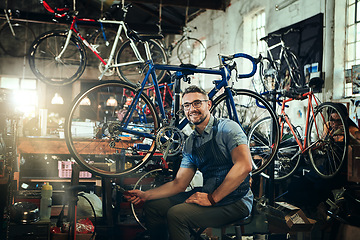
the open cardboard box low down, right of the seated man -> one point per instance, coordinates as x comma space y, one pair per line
285, 218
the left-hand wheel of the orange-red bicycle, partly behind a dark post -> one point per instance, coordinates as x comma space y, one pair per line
286, 161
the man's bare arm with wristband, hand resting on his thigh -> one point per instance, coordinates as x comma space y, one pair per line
242, 167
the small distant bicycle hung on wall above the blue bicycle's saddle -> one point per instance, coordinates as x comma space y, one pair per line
189, 50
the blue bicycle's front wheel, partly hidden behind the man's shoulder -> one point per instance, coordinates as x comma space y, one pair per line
250, 108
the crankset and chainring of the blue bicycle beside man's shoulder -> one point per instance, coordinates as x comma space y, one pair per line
169, 140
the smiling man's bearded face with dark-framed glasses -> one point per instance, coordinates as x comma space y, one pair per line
196, 107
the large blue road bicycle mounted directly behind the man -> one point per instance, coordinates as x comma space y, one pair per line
127, 142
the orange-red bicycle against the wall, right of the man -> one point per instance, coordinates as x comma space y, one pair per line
324, 142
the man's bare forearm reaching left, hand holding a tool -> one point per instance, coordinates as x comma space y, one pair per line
179, 184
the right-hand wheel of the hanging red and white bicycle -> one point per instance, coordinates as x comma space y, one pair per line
134, 72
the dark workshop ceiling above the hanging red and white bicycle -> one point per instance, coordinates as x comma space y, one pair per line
142, 16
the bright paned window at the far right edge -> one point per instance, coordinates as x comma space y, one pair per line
352, 53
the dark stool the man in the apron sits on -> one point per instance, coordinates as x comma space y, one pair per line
238, 225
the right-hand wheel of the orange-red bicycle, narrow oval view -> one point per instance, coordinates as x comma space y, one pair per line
328, 137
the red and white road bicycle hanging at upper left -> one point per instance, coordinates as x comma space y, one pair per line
59, 57
